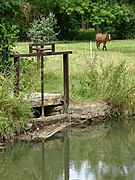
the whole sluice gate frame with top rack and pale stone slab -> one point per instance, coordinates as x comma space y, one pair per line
44, 99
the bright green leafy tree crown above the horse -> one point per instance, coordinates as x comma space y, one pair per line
104, 15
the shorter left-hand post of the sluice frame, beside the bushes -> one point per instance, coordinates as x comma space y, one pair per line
17, 75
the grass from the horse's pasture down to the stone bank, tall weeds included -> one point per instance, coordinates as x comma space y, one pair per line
109, 76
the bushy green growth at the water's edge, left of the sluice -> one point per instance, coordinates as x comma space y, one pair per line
14, 111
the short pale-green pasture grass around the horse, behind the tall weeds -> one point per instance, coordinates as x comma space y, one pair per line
118, 51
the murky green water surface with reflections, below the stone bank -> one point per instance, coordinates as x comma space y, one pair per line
110, 156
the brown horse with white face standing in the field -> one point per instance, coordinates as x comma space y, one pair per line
102, 38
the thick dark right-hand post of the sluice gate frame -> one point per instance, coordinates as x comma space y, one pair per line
66, 82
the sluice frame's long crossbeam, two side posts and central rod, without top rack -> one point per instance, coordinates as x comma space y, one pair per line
65, 74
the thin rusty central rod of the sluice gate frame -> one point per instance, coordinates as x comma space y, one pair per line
42, 85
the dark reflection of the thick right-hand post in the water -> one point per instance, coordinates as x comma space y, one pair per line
66, 156
